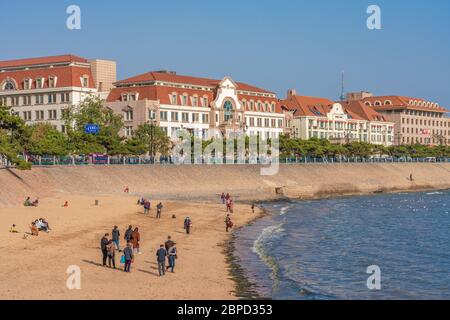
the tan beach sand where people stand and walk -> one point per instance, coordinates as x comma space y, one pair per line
35, 268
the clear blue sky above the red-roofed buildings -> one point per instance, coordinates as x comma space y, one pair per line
272, 44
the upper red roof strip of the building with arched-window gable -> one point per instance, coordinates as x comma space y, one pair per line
196, 81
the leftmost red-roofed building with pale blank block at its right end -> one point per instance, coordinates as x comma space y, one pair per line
39, 89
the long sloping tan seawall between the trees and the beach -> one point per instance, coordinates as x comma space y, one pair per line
205, 182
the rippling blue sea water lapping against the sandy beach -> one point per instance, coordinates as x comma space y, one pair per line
322, 249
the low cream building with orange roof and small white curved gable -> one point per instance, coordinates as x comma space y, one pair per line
312, 117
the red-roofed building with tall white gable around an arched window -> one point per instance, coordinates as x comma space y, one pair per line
204, 107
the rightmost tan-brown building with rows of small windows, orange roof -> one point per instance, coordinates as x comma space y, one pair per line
416, 120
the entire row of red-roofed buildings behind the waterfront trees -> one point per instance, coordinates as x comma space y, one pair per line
40, 89
